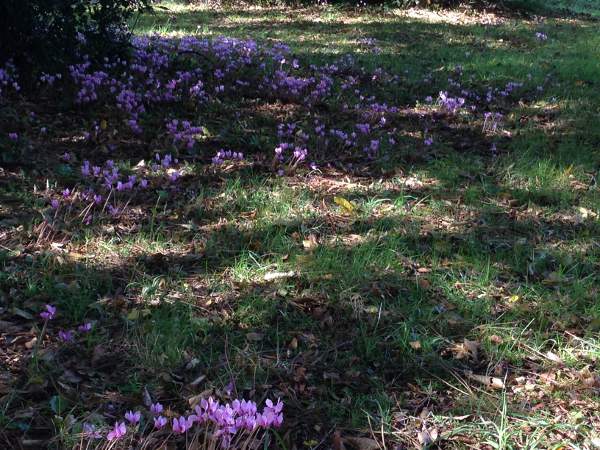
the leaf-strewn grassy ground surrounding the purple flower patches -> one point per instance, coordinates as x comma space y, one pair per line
453, 301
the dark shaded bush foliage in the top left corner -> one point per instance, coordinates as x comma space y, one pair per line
43, 35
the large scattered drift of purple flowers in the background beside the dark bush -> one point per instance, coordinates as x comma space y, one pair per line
197, 75
